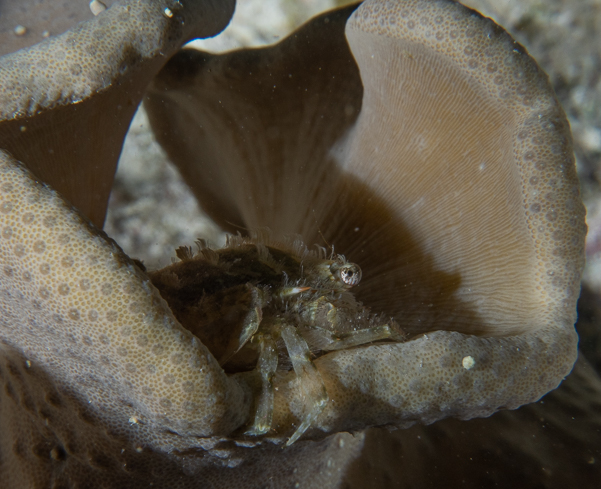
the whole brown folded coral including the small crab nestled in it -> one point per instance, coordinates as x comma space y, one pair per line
416, 138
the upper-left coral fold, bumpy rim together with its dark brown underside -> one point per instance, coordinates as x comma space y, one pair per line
66, 103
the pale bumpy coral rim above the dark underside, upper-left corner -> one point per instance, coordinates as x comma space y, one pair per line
89, 57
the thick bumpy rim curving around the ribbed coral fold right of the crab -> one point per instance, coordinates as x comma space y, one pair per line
444, 373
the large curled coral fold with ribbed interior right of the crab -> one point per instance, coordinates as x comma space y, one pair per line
441, 163
